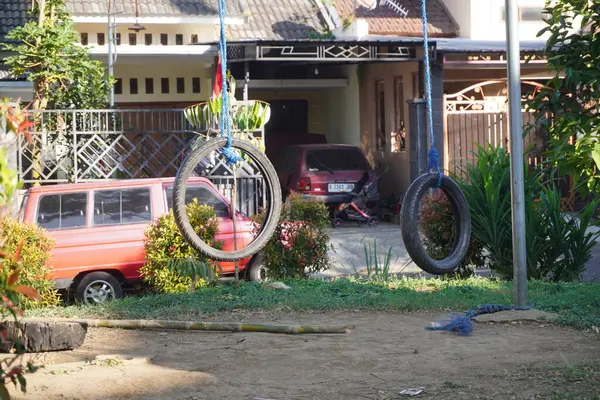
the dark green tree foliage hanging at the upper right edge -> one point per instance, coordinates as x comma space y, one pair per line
568, 107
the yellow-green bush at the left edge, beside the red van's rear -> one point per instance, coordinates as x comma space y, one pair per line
34, 262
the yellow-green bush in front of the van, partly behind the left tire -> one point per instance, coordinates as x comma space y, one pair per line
164, 243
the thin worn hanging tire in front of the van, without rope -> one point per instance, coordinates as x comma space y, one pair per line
272, 213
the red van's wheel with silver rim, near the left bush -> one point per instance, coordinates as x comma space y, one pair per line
98, 288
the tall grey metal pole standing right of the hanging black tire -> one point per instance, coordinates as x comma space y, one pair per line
516, 155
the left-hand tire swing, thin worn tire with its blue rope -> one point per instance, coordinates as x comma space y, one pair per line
226, 146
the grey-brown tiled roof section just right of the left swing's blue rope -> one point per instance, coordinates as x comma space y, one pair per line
277, 19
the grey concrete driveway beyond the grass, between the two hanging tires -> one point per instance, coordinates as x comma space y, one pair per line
348, 256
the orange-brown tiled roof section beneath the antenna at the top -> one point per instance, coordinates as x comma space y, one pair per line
385, 21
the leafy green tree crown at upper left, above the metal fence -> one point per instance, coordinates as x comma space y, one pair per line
47, 50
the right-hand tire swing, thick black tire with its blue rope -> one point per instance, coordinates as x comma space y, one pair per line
409, 214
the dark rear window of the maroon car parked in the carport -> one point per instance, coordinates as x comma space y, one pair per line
344, 159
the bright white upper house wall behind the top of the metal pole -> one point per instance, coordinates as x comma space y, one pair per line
483, 19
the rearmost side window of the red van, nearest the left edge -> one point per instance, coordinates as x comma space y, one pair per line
62, 211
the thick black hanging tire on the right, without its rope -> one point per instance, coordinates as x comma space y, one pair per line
409, 215
